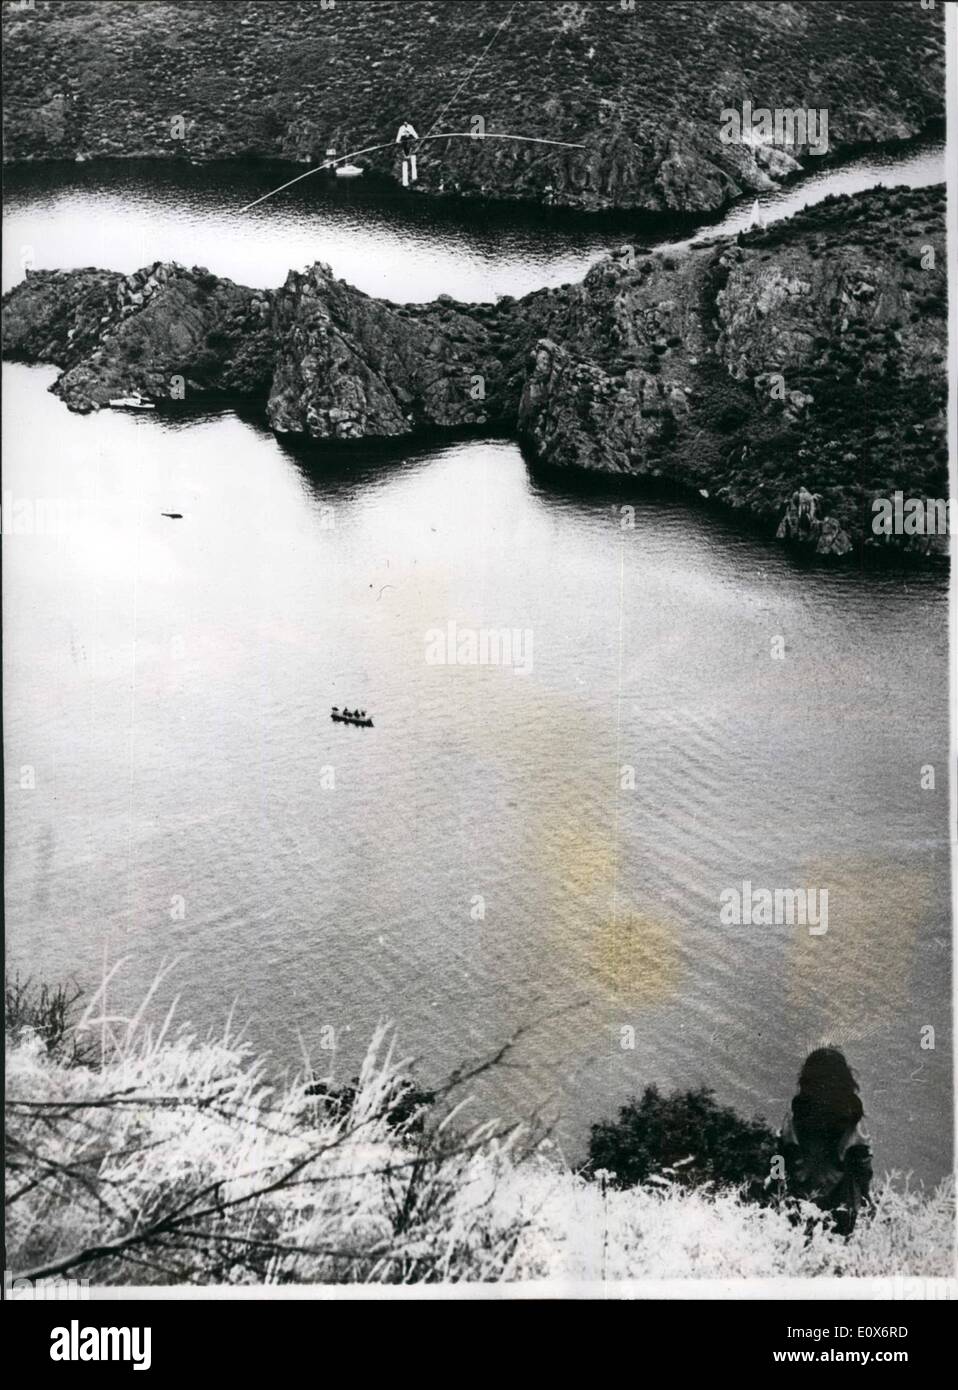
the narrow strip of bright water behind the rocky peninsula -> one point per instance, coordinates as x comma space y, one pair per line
401, 247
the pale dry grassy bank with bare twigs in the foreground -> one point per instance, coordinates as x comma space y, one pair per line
141, 1154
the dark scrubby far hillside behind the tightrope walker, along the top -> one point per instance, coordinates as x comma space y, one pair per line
642, 87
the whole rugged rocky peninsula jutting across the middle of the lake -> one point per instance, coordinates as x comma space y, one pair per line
793, 375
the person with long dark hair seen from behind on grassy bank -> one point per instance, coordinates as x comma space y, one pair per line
825, 1146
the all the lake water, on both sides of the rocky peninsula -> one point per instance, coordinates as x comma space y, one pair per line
473, 864
